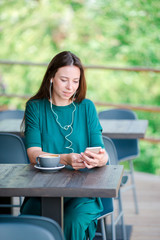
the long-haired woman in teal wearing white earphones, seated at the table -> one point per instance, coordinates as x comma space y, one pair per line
58, 119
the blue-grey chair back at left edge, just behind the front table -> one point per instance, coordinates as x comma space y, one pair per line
12, 149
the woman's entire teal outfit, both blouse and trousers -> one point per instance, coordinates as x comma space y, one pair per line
42, 130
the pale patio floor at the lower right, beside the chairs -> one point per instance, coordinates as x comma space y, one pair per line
146, 224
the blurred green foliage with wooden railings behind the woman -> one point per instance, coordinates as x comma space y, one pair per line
117, 41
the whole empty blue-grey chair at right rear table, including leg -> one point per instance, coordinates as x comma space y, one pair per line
127, 149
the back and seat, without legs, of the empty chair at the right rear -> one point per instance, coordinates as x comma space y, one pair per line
127, 149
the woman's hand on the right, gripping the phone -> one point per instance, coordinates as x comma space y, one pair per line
92, 160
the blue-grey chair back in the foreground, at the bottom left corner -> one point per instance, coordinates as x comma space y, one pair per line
29, 227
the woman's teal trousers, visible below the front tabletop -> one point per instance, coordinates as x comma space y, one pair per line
80, 215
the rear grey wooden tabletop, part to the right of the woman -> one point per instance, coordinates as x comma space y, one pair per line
124, 128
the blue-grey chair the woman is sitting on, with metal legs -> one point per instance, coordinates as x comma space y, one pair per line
108, 203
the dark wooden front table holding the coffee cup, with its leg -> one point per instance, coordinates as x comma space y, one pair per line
25, 180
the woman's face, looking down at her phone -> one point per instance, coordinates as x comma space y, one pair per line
65, 84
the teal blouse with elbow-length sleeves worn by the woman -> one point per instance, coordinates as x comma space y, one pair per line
42, 130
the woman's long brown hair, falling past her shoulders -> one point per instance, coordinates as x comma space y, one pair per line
62, 59
